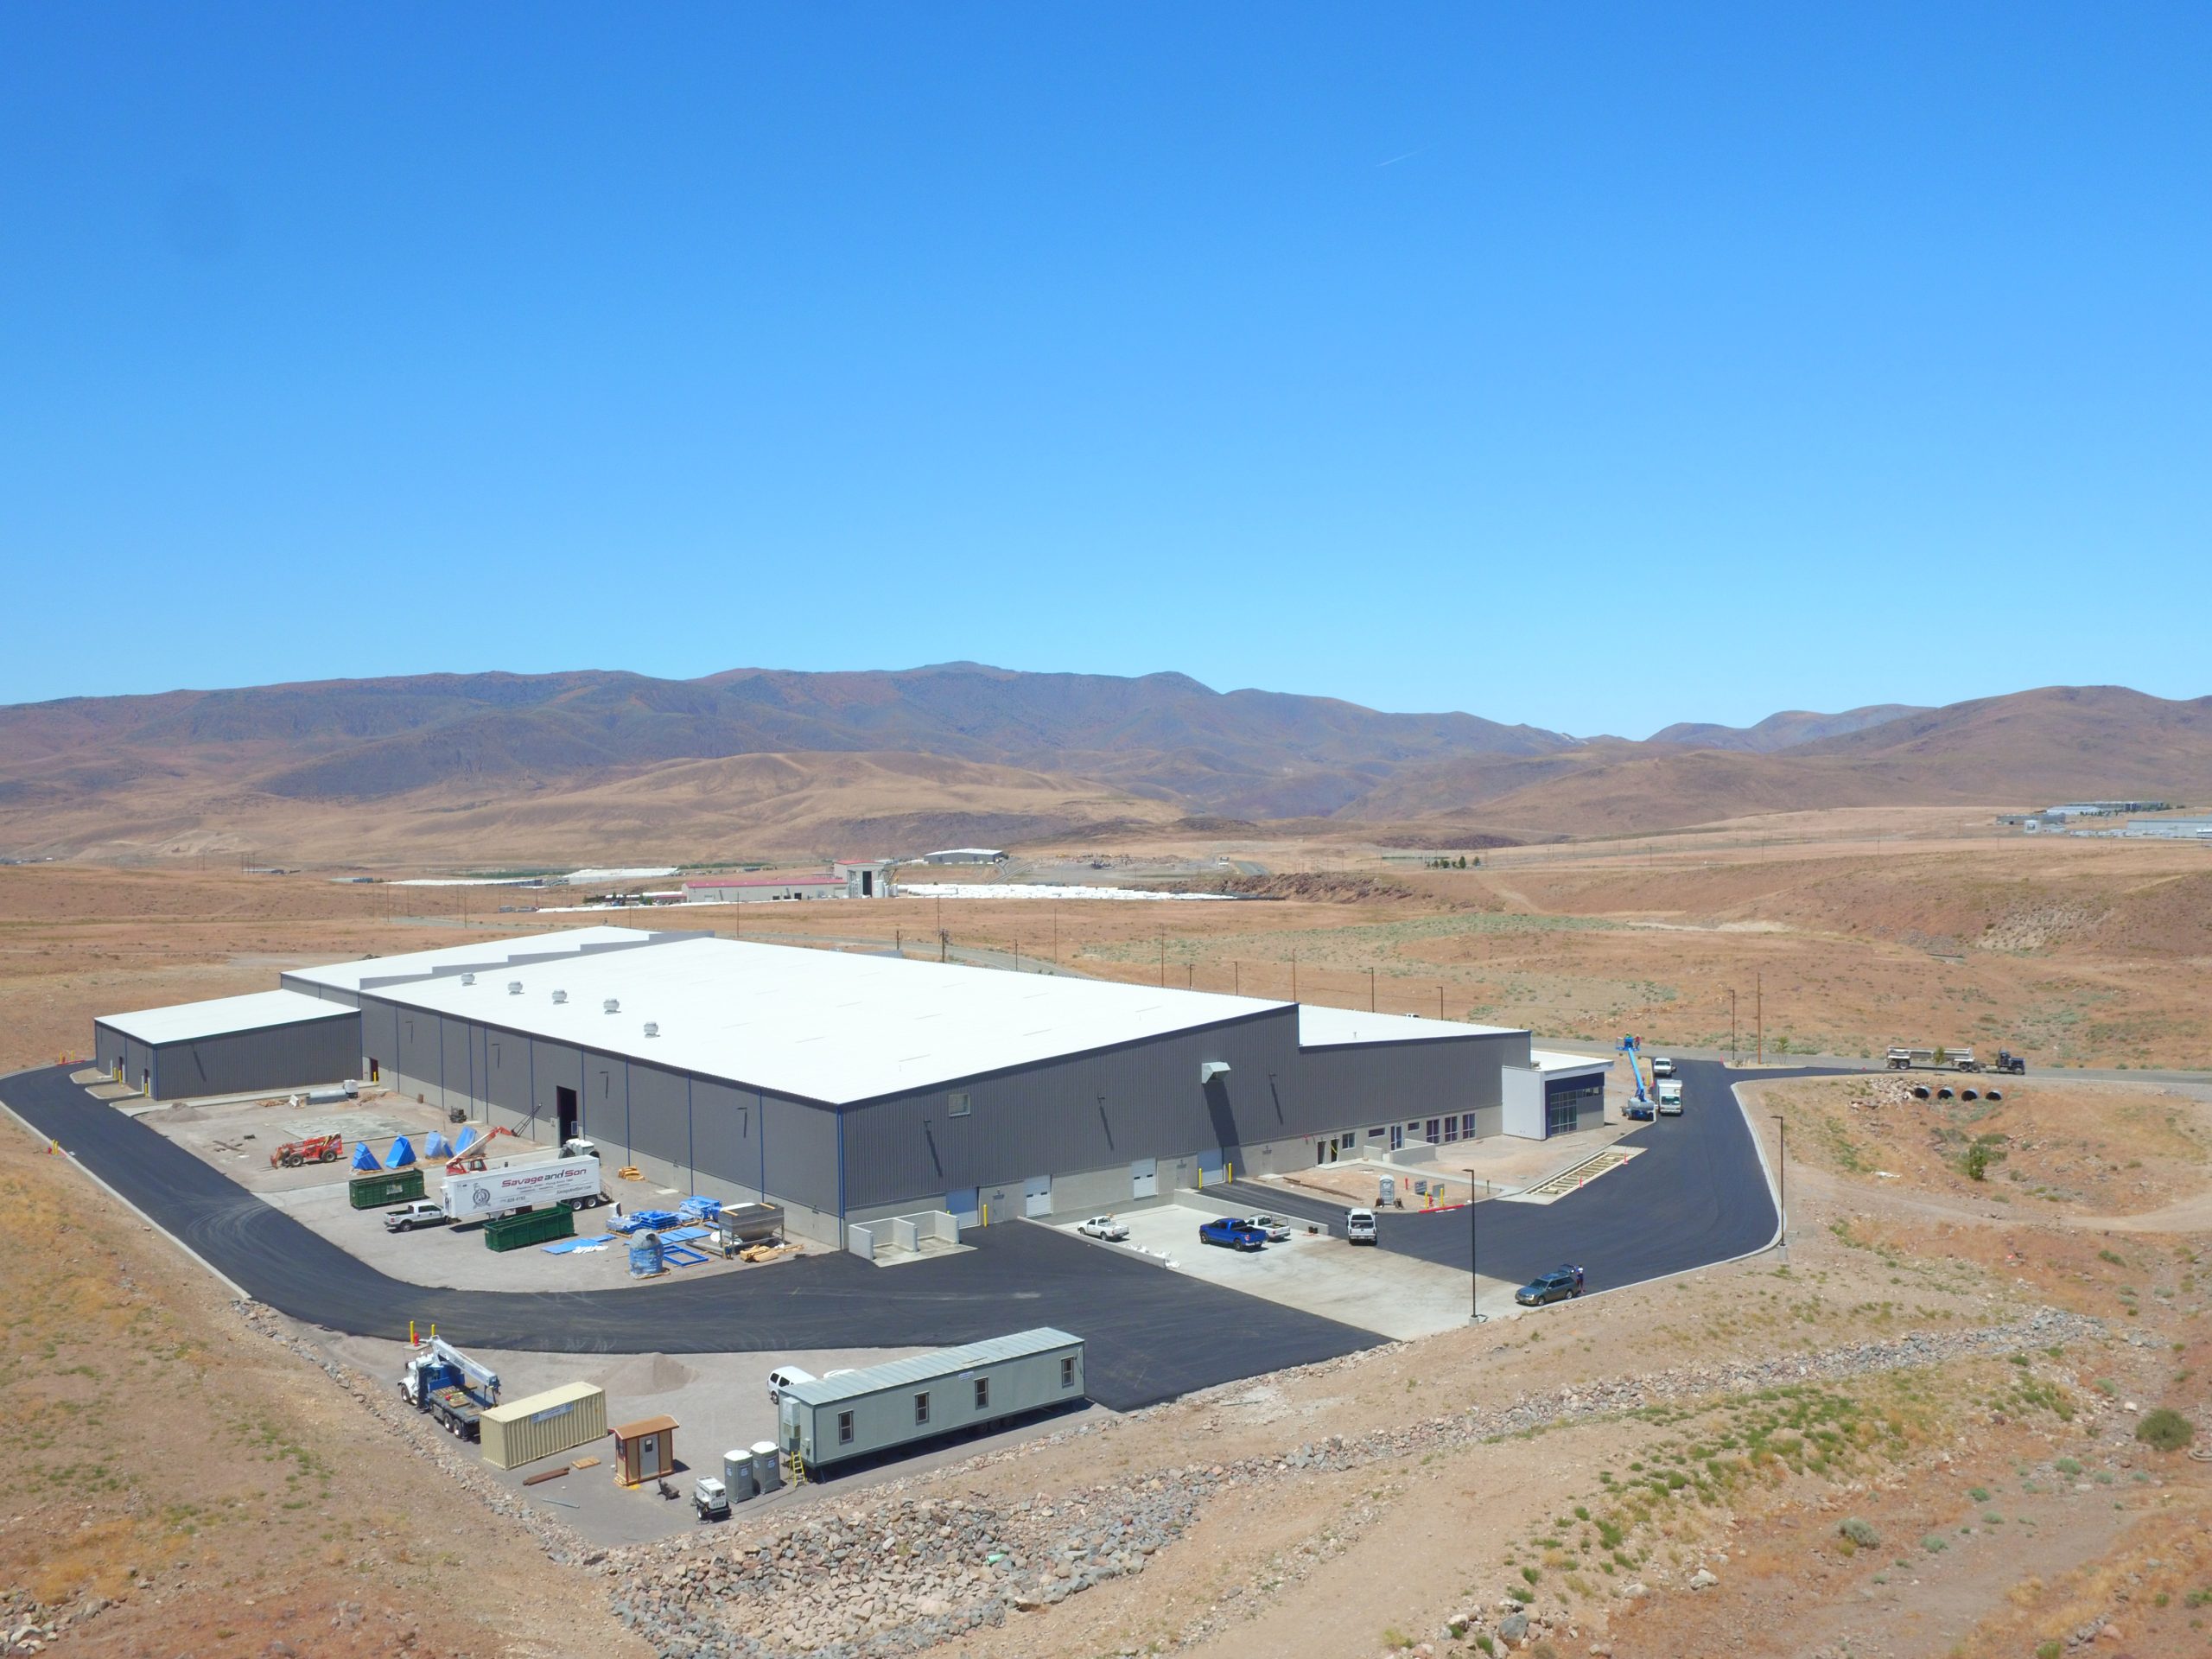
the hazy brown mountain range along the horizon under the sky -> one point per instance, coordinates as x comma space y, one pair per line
492, 769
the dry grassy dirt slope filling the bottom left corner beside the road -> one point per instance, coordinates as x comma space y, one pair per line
185, 1485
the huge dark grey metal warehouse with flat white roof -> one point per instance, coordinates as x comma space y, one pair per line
857, 1087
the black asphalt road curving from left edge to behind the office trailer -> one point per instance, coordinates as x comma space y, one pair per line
1154, 1335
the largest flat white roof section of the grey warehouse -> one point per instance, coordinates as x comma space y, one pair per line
817, 1025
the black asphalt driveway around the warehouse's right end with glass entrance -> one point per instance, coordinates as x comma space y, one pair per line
1695, 1198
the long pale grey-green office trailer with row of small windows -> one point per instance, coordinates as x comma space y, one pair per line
826, 1421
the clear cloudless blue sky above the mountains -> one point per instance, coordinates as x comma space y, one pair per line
1589, 366
